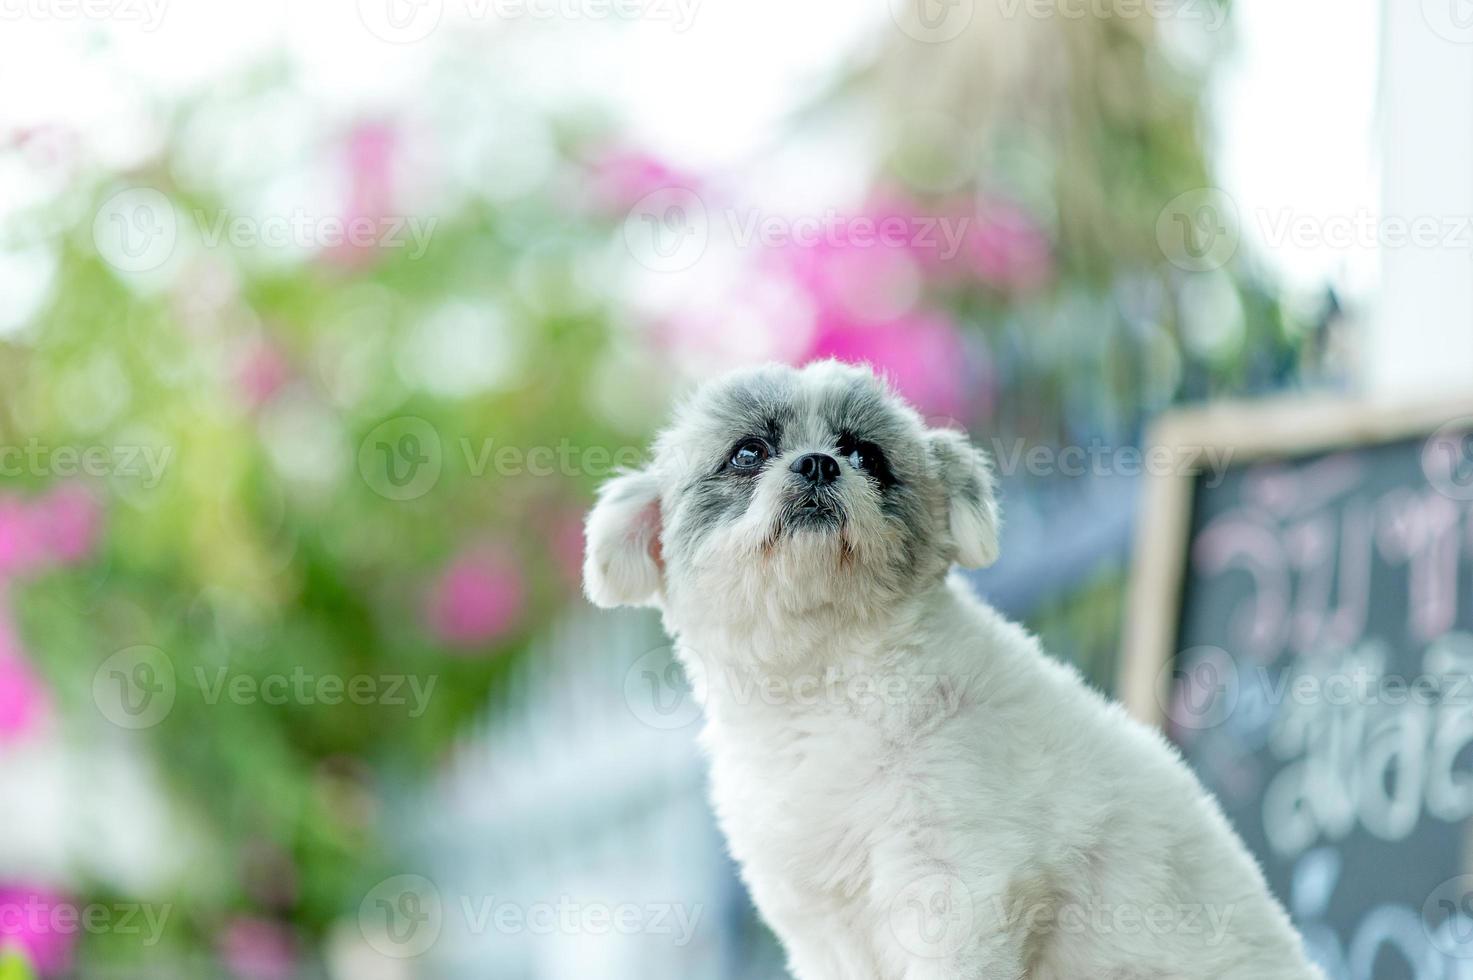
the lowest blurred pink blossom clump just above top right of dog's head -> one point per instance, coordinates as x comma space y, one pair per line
923, 356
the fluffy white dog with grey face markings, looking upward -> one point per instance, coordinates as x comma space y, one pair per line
913, 789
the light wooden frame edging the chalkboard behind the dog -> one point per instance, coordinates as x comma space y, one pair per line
1251, 431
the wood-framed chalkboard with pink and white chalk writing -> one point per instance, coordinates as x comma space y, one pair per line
1303, 627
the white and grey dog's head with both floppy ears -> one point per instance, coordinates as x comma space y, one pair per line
781, 491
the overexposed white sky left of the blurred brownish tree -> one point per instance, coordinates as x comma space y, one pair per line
705, 80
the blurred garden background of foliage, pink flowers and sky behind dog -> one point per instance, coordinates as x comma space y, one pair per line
322, 322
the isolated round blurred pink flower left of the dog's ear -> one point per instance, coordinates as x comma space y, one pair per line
478, 599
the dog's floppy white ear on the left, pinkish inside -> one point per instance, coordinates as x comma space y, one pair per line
622, 564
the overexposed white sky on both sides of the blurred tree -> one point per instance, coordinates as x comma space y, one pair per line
703, 82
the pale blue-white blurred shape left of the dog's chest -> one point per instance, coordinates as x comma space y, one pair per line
577, 805
